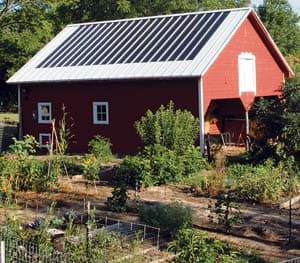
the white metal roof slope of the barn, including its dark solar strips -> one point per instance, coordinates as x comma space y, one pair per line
181, 45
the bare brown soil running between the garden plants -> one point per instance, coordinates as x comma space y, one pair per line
264, 228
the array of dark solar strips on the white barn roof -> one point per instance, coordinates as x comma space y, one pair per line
156, 39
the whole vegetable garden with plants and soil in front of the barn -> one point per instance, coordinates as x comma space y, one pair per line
165, 204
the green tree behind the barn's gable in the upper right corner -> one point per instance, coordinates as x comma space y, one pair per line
282, 23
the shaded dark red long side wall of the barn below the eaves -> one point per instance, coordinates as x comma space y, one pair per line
128, 101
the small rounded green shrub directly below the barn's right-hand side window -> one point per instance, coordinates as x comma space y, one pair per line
100, 147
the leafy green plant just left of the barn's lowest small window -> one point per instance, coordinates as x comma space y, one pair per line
24, 148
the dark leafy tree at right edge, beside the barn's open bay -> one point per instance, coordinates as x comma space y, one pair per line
278, 120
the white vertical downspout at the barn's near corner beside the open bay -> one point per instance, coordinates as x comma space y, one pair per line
201, 115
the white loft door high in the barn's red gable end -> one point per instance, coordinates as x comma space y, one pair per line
247, 73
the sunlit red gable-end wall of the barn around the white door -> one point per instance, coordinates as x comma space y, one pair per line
221, 80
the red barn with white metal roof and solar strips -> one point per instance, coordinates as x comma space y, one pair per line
107, 74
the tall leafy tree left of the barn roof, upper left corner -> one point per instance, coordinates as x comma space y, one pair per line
24, 29
